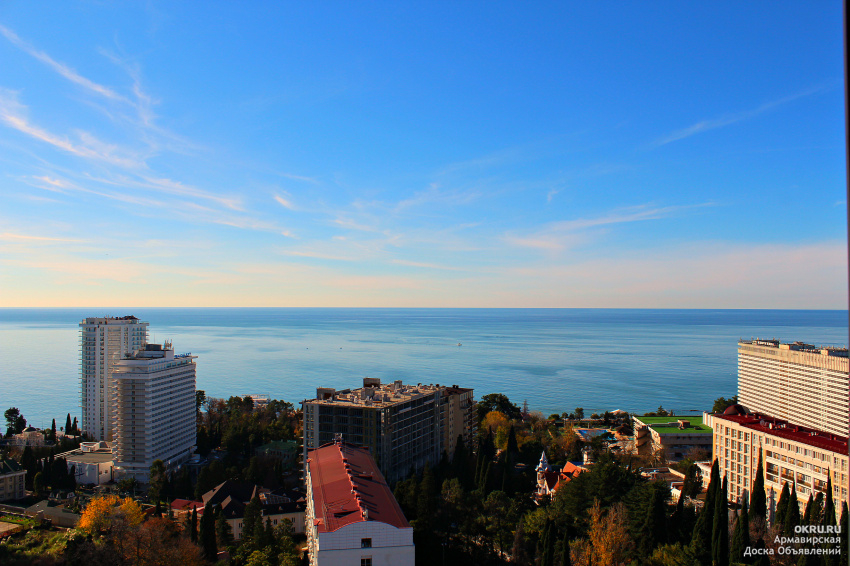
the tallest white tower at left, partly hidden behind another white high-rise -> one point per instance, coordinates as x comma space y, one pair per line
103, 341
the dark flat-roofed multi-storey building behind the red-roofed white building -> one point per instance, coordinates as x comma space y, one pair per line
404, 426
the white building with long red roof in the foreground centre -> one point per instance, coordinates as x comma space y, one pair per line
352, 516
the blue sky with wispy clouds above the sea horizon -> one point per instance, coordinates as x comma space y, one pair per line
430, 154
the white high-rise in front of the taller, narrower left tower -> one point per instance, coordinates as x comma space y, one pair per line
154, 409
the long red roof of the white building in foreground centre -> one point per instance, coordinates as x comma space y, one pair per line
348, 488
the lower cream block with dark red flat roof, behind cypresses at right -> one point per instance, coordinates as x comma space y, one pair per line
791, 453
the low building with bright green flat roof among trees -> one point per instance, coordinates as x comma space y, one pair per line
671, 437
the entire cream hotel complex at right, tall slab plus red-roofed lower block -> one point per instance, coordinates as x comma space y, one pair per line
793, 408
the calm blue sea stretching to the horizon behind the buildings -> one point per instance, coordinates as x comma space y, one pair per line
556, 359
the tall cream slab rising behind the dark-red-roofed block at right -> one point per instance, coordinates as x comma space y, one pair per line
799, 383
